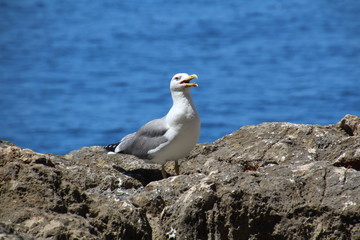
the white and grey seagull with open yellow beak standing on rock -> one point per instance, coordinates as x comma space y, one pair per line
168, 138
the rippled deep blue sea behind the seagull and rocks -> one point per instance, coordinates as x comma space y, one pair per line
83, 73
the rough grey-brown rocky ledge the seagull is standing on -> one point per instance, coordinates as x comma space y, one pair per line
269, 181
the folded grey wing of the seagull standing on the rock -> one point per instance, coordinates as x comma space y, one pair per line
148, 137
